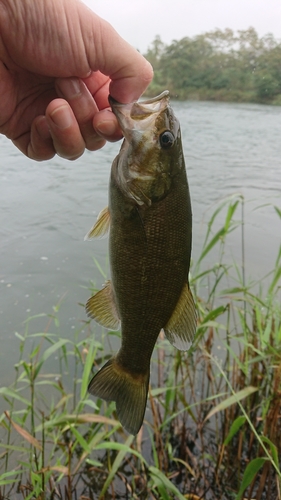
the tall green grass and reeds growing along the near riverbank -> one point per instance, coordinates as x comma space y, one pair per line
213, 424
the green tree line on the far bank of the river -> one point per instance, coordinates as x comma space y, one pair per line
218, 65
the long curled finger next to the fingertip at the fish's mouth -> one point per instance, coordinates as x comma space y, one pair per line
84, 108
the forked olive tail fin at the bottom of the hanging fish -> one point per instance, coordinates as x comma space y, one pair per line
129, 391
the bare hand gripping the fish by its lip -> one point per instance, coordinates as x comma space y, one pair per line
58, 63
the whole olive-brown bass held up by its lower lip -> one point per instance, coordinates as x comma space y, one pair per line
149, 220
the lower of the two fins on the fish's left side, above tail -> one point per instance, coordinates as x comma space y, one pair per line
101, 307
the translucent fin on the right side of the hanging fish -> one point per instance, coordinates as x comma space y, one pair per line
181, 327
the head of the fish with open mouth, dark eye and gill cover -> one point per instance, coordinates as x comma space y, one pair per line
151, 153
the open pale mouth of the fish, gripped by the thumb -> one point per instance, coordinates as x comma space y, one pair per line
138, 115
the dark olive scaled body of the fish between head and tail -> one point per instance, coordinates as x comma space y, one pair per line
149, 253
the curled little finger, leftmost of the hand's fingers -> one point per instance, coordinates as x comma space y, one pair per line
41, 145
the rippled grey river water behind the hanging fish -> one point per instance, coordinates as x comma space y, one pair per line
47, 208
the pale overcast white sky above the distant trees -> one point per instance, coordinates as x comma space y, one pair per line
139, 21
